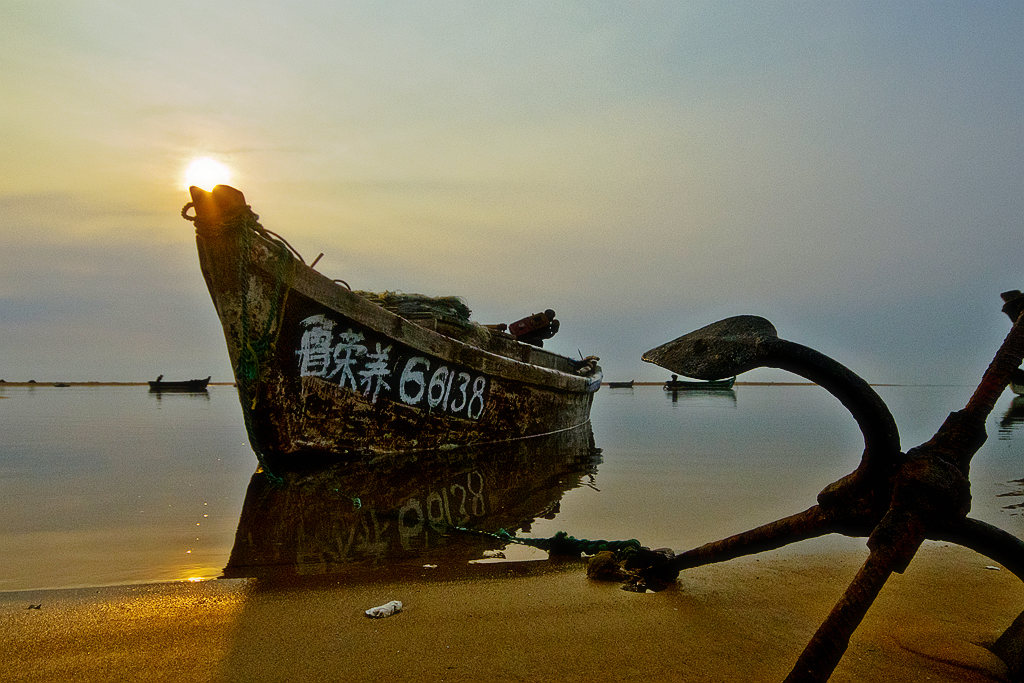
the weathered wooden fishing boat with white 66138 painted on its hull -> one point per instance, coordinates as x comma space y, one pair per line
323, 371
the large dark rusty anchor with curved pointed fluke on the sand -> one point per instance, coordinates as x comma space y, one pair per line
897, 500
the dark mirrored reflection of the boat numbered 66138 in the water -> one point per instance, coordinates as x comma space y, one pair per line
402, 510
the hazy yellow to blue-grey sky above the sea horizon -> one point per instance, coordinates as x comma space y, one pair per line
852, 172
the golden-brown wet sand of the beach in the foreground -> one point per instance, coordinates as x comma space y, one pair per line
743, 621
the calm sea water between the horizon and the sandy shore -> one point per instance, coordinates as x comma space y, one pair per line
105, 486
